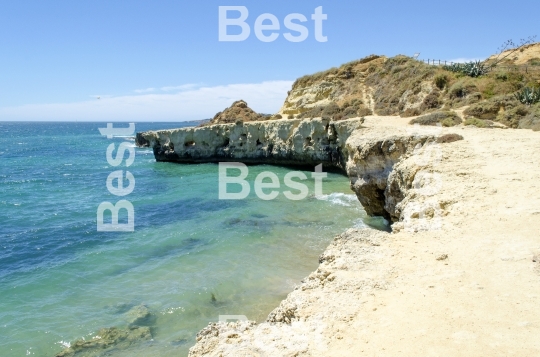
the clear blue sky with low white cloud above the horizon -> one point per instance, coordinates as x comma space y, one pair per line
164, 61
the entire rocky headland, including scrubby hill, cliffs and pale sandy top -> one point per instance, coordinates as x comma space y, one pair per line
459, 274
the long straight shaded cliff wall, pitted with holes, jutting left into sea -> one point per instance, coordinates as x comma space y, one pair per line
280, 142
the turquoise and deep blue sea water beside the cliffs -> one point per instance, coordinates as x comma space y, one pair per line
61, 280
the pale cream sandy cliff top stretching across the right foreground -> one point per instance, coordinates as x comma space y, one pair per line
460, 275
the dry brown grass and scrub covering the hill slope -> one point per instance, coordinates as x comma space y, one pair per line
407, 87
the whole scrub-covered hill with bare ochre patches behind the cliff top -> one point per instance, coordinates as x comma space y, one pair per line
404, 86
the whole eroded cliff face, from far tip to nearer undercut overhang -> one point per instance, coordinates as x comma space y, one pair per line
368, 156
